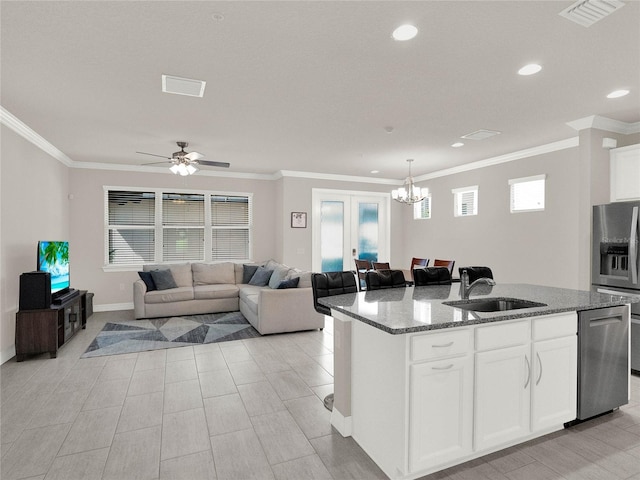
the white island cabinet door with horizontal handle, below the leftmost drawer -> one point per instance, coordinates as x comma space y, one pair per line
440, 412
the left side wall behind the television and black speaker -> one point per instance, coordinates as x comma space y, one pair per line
33, 206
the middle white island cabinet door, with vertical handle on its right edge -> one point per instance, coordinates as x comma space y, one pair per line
503, 389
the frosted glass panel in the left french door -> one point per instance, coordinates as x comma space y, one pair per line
332, 235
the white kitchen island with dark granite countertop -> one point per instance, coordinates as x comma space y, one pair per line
422, 385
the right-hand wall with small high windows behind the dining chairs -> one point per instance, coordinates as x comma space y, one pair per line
536, 247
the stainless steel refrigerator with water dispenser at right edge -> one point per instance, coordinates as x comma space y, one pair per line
615, 261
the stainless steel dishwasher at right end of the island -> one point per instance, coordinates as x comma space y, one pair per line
603, 360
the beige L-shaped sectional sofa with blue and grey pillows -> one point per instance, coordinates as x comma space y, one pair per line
218, 287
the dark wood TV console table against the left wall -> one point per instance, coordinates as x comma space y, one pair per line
46, 330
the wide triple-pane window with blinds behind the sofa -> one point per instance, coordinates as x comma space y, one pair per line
152, 226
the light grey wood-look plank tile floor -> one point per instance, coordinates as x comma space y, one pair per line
238, 410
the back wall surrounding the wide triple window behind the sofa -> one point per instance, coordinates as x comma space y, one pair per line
87, 225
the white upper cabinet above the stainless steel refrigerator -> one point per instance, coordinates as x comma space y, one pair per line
625, 173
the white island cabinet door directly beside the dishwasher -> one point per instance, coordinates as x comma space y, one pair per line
554, 381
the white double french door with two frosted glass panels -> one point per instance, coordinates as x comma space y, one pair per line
348, 226
